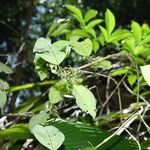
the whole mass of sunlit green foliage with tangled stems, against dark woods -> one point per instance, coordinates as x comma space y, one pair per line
86, 44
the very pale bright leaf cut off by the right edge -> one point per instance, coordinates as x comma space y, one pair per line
146, 73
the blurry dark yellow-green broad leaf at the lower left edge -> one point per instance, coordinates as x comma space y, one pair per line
17, 132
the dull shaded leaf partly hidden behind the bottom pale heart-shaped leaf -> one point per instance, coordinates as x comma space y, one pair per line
40, 118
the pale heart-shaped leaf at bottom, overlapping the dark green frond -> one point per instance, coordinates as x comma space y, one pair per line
48, 136
